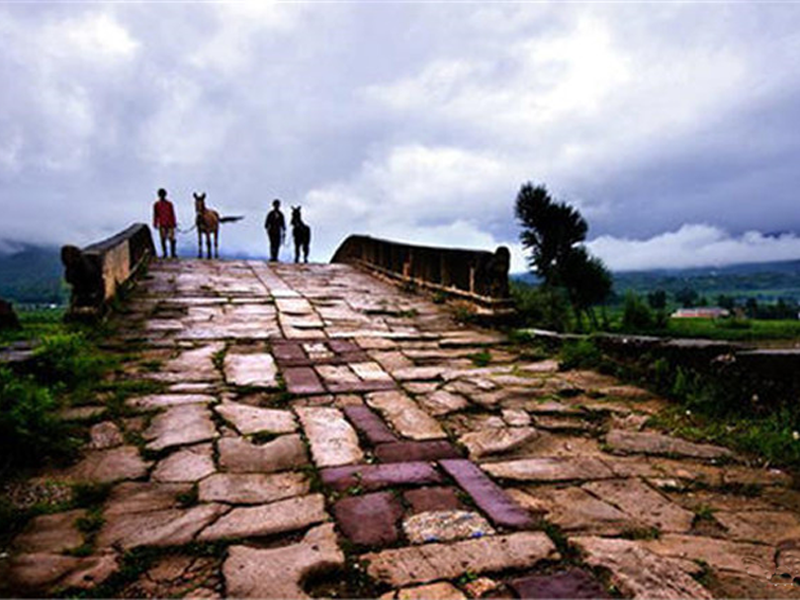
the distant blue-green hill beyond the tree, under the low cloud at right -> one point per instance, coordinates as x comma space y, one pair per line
767, 281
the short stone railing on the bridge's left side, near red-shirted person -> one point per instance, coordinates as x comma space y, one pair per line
97, 271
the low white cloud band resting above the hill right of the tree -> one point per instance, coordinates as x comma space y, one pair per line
692, 246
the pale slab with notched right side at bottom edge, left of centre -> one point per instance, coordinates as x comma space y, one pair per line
280, 572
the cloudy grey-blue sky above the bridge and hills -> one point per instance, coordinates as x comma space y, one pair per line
672, 127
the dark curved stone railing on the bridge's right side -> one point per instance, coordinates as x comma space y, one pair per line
475, 275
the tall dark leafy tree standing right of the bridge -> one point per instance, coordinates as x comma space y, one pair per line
553, 232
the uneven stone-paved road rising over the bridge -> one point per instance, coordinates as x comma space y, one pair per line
309, 430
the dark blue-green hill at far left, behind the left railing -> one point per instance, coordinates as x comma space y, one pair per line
33, 275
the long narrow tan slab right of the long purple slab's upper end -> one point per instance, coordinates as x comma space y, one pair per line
550, 468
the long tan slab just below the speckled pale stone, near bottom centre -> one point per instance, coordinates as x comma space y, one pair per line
432, 562
